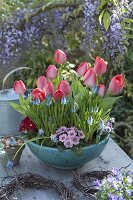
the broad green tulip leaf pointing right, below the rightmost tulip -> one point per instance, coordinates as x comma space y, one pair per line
108, 102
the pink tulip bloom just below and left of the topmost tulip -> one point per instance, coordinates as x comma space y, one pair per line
51, 72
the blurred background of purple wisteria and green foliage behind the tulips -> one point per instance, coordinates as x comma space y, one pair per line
31, 30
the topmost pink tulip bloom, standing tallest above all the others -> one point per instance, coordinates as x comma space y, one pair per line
60, 56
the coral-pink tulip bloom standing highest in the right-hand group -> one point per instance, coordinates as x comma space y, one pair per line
100, 66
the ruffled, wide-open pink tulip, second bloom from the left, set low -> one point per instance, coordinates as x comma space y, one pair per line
38, 94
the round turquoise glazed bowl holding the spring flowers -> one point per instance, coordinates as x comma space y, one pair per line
67, 159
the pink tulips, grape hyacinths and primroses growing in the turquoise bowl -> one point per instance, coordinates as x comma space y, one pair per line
65, 113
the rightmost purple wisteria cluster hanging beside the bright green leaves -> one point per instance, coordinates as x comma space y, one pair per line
113, 40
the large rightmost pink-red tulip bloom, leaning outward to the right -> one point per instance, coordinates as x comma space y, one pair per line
116, 84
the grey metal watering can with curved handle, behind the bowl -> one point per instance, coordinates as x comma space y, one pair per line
9, 118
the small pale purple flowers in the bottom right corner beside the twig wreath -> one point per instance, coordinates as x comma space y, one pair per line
116, 186
